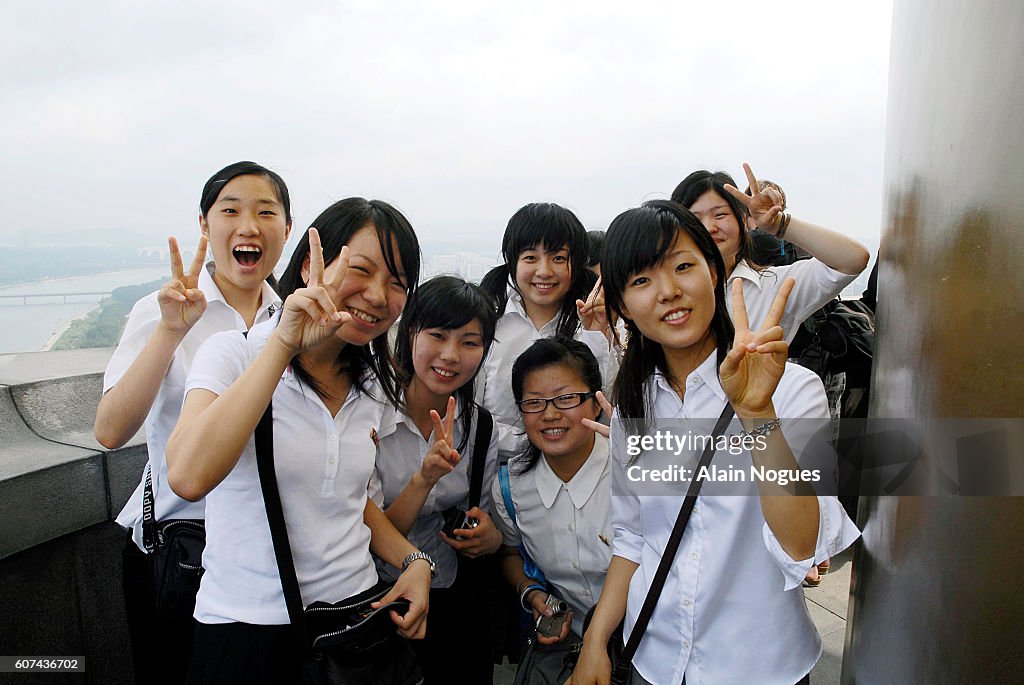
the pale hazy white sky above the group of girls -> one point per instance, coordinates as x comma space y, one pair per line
113, 114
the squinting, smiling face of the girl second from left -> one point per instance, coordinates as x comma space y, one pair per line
370, 292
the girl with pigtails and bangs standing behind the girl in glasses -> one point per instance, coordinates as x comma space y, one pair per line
545, 273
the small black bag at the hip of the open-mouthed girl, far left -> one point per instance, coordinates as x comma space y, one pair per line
176, 549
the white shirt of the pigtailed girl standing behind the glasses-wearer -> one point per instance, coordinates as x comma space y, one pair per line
515, 333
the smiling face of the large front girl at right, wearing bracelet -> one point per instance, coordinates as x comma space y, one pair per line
673, 303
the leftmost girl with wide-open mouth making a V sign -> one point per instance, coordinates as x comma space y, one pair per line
245, 219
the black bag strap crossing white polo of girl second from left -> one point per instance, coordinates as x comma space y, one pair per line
279, 534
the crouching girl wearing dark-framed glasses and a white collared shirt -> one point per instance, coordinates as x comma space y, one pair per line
559, 486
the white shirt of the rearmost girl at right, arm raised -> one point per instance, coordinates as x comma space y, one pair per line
817, 285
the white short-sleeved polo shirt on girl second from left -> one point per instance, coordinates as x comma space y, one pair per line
323, 464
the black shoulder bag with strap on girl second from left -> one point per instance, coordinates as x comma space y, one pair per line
343, 644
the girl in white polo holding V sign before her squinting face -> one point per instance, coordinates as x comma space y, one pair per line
325, 364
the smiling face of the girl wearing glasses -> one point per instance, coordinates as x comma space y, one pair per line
560, 434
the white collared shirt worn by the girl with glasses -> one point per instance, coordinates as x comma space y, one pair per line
566, 527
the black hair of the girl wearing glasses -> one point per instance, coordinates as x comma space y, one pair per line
548, 353
